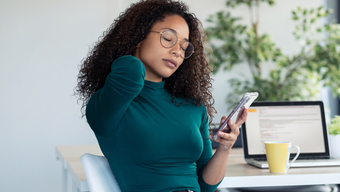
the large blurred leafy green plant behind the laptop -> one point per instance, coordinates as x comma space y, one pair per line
294, 77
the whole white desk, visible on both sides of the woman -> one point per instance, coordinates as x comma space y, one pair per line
238, 174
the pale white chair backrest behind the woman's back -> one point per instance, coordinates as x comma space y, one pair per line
98, 174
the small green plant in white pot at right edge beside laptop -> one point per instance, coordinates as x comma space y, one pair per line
334, 136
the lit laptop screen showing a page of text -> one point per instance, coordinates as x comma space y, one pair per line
302, 125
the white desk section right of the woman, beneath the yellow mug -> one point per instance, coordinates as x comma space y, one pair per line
240, 174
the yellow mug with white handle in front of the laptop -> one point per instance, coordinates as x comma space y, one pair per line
278, 156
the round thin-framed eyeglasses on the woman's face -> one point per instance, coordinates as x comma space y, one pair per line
169, 39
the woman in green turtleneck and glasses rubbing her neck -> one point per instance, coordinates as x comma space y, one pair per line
145, 87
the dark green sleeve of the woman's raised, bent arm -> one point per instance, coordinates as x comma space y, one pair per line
107, 106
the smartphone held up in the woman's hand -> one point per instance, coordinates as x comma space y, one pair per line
247, 99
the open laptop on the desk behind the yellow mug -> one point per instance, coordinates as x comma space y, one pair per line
301, 122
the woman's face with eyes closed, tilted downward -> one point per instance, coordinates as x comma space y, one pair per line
161, 62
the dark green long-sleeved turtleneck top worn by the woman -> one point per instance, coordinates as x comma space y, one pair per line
151, 144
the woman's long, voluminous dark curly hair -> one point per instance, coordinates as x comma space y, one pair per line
191, 80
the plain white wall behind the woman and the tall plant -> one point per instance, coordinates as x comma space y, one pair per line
42, 44
